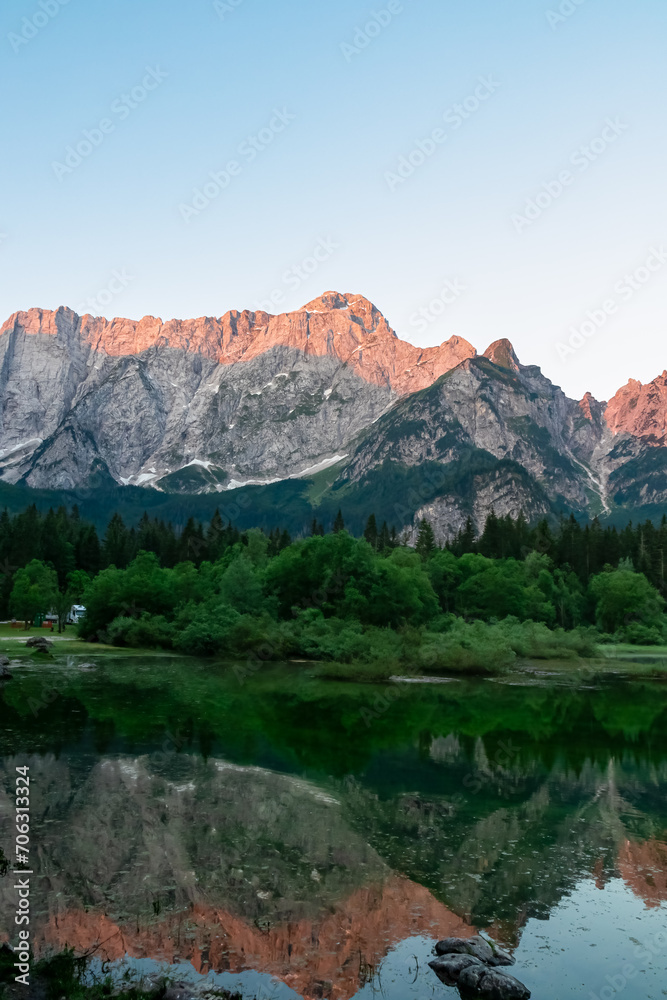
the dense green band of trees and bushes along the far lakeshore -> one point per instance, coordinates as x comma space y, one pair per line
515, 590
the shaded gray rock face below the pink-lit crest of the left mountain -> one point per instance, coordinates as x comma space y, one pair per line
68, 413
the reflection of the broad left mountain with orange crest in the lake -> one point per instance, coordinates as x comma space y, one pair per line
224, 866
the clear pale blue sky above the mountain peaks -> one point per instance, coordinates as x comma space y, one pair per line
323, 177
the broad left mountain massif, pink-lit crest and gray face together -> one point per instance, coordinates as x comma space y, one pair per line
199, 403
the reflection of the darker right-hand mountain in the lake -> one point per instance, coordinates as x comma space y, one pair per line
501, 843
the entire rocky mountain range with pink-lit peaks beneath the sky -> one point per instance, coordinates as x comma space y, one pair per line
326, 399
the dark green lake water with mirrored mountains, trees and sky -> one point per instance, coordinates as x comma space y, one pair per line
326, 834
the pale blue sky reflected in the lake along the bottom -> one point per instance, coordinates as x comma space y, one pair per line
551, 961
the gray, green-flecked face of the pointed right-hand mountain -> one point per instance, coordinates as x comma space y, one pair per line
504, 439
